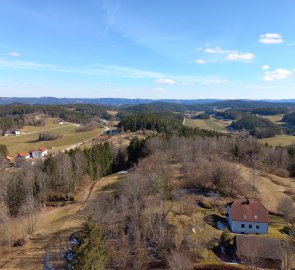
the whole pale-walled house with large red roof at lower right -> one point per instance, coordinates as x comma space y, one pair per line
247, 217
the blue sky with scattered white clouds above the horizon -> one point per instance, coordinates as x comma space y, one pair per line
189, 49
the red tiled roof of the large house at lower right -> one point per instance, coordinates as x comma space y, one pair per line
248, 211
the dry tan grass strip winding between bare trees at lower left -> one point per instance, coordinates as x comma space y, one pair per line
52, 231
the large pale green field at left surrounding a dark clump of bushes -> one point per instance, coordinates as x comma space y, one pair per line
28, 140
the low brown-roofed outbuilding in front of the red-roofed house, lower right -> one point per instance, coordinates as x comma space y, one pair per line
259, 251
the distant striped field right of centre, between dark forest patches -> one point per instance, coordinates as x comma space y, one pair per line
209, 124
